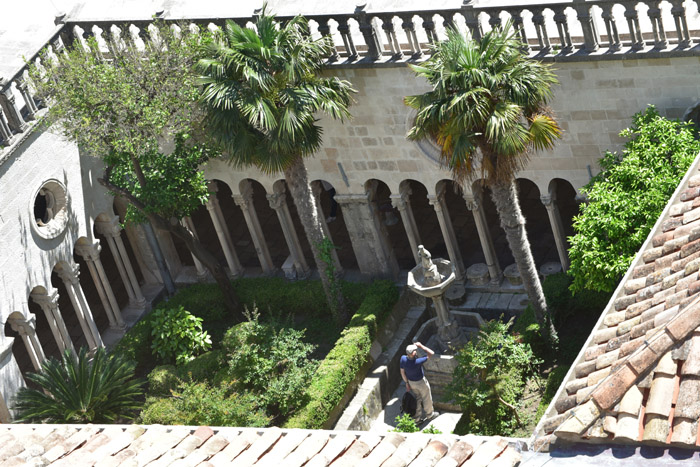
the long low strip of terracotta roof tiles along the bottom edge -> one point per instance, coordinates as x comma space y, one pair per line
156, 445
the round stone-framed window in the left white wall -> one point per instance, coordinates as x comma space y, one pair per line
50, 209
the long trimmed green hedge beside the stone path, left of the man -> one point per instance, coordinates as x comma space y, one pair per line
346, 359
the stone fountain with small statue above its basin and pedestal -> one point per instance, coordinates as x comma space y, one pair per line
431, 278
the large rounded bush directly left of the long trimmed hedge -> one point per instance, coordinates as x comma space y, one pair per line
270, 361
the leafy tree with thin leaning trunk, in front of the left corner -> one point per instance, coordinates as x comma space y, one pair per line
136, 109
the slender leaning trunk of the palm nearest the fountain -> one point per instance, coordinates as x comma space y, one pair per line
505, 197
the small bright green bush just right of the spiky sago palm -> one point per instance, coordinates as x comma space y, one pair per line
177, 335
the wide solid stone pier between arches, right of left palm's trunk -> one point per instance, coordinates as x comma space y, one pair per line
370, 243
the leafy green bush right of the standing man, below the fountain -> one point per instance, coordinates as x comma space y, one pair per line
490, 379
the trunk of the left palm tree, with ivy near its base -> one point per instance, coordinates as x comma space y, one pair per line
300, 189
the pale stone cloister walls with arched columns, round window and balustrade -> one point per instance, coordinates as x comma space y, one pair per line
72, 276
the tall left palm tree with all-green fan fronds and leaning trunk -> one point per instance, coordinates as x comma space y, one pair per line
262, 92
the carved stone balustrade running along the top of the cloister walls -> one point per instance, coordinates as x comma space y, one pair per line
564, 30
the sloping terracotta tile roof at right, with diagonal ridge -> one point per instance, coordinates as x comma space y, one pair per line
637, 380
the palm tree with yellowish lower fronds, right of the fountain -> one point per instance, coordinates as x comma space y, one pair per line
487, 110
